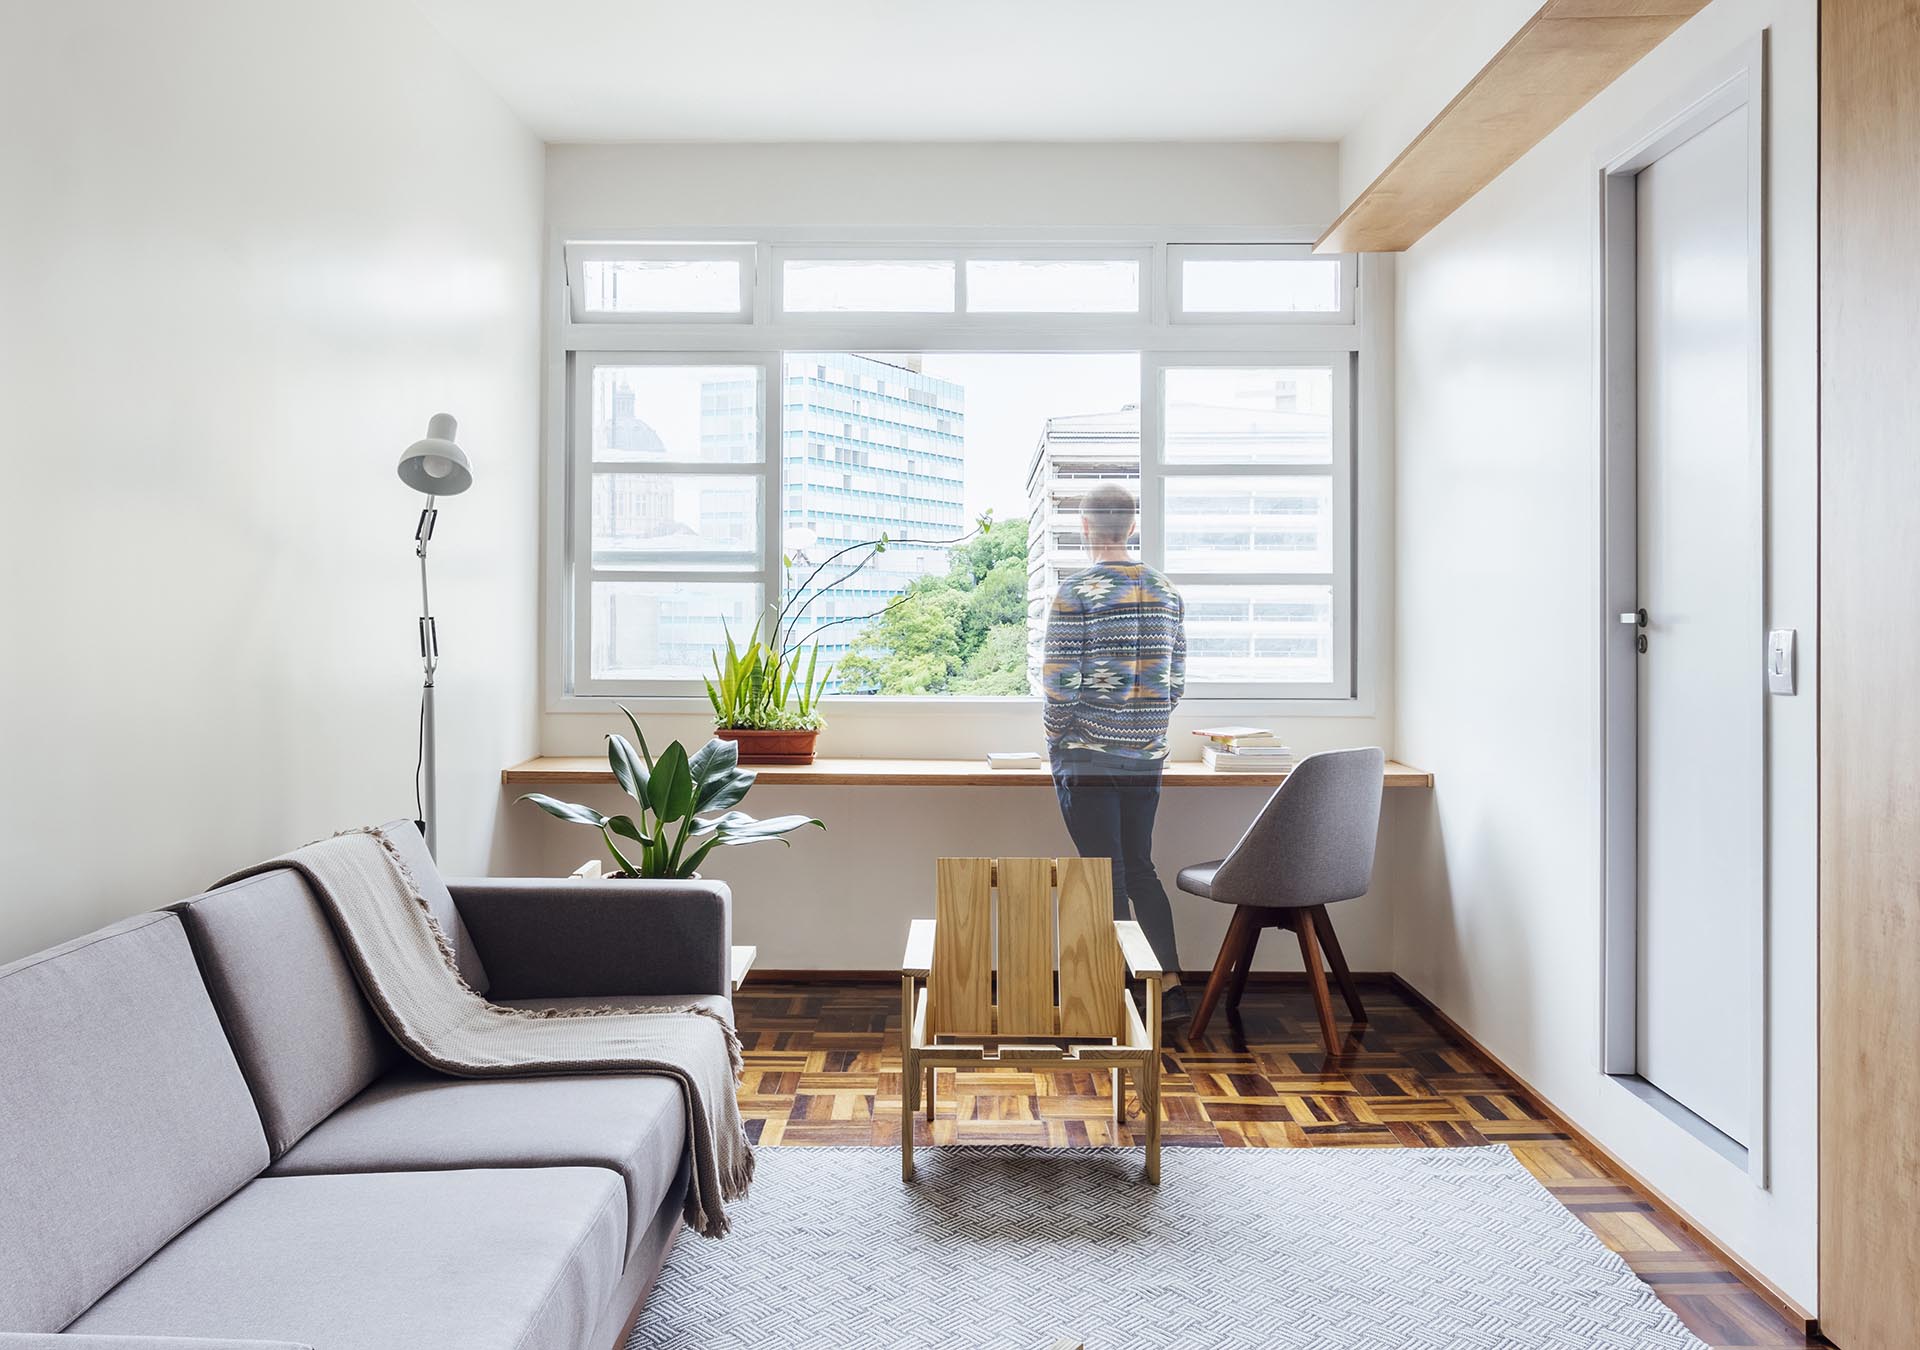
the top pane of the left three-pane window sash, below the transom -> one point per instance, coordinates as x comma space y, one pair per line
677, 412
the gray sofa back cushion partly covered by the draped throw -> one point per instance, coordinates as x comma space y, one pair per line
300, 1026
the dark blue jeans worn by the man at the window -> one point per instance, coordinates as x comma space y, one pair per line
1109, 806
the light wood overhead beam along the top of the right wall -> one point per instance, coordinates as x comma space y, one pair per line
1548, 72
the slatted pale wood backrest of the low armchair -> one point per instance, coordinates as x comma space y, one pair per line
961, 988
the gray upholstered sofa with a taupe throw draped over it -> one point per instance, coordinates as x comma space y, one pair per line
208, 1142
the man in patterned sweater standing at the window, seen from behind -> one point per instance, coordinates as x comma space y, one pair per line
1116, 665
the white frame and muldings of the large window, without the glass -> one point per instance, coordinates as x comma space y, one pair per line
1360, 350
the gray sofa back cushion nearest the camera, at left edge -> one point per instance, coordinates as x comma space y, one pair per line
124, 1115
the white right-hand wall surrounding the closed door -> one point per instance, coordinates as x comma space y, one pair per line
1500, 629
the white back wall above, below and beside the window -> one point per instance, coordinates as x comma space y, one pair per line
842, 900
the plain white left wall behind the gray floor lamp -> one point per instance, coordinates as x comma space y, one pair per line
247, 249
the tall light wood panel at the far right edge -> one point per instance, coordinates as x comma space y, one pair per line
1869, 673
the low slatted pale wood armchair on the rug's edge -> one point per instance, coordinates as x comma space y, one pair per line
955, 1015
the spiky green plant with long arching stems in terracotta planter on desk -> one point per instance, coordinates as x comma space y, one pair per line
765, 698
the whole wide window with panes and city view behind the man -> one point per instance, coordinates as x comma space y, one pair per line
748, 418
